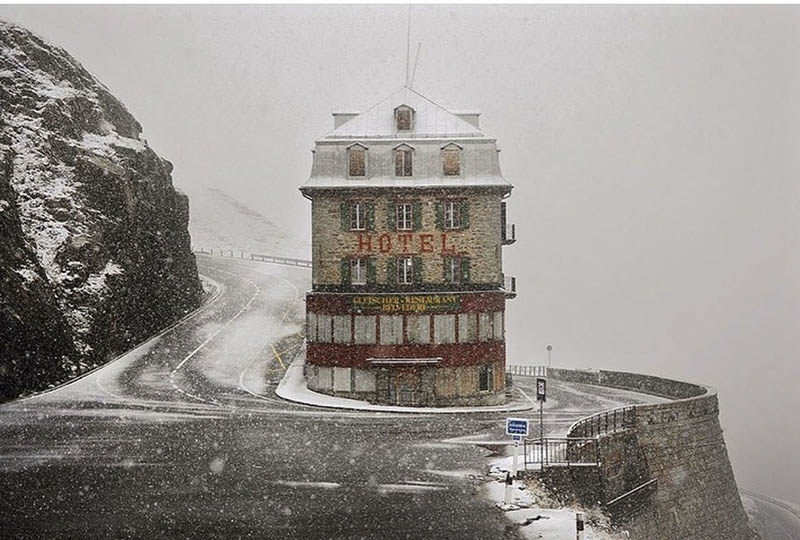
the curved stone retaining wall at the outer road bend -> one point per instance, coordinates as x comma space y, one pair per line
667, 476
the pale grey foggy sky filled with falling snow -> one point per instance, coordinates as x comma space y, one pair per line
654, 152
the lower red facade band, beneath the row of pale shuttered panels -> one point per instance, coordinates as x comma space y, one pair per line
452, 354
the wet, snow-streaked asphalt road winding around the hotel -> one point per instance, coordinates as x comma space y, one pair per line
183, 437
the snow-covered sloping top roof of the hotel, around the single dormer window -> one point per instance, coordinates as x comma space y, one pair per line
430, 120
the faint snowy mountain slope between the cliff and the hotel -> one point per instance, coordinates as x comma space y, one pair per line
219, 221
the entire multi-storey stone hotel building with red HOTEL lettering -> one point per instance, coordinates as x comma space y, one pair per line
407, 305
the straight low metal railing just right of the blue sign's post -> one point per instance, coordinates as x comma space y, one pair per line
562, 452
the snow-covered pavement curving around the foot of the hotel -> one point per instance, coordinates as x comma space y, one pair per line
293, 387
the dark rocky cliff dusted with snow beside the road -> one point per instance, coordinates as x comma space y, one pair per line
94, 248
